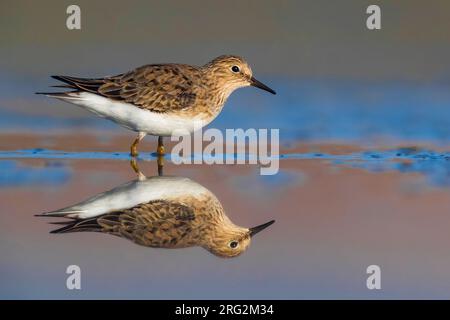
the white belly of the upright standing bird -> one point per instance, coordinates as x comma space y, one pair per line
134, 118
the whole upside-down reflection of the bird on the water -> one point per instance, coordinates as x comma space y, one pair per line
161, 212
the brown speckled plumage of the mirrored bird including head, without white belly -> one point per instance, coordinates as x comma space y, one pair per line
180, 222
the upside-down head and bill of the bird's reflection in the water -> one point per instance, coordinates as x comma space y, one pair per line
230, 241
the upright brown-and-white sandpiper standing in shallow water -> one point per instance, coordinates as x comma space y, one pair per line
159, 99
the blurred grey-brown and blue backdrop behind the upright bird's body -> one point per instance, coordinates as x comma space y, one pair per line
336, 79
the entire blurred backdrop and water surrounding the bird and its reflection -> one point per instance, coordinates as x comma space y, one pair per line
364, 119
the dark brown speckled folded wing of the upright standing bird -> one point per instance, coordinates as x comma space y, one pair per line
158, 88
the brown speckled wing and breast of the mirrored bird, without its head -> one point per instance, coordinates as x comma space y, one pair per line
160, 223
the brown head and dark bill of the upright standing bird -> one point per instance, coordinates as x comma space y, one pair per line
232, 72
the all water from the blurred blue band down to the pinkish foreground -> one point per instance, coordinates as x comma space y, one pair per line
364, 179
